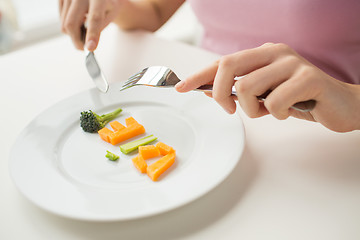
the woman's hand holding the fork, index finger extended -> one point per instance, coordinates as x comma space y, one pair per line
290, 78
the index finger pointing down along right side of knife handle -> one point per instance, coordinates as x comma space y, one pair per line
96, 22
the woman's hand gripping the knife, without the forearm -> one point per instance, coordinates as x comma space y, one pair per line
97, 14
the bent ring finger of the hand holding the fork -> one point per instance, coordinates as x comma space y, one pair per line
260, 81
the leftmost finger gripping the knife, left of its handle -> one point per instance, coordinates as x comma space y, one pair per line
74, 21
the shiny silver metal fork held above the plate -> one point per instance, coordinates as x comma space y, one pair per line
159, 76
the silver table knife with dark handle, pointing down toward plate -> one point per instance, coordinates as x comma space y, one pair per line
93, 67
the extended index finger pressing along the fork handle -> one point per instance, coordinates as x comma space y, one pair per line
205, 76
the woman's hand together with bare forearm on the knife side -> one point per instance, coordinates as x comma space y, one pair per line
147, 15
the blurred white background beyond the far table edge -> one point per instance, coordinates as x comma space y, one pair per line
25, 22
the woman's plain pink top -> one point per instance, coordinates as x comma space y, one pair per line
326, 32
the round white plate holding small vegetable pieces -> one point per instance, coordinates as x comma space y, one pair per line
63, 170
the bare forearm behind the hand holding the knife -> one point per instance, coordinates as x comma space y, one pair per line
146, 14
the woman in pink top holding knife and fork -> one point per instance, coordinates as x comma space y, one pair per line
315, 52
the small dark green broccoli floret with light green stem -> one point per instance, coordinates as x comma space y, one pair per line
92, 122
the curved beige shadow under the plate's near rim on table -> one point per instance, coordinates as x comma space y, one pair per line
179, 223
